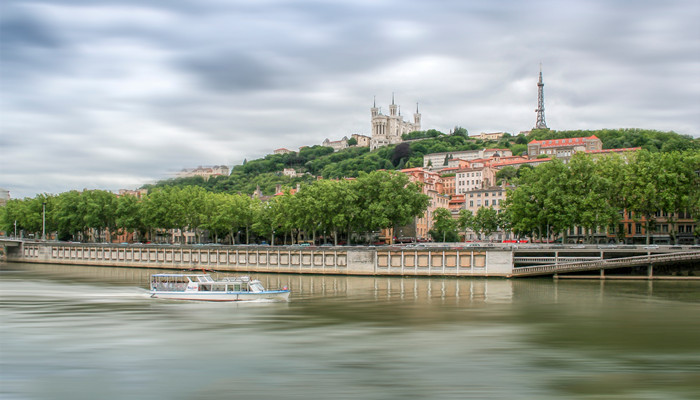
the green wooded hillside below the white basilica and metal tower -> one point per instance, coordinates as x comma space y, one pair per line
314, 161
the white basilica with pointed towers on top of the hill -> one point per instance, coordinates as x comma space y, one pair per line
387, 129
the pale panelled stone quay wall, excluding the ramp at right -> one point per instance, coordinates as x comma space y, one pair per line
390, 261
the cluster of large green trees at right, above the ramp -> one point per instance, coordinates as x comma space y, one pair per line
592, 193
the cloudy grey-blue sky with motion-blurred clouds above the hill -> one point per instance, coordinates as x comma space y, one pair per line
106, 94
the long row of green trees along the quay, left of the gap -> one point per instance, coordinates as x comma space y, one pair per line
369, 203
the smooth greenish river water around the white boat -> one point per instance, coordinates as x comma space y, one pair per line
71, 332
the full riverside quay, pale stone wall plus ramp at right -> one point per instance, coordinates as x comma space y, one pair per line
456, 259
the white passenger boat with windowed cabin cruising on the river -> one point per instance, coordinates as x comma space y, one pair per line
203, 287
